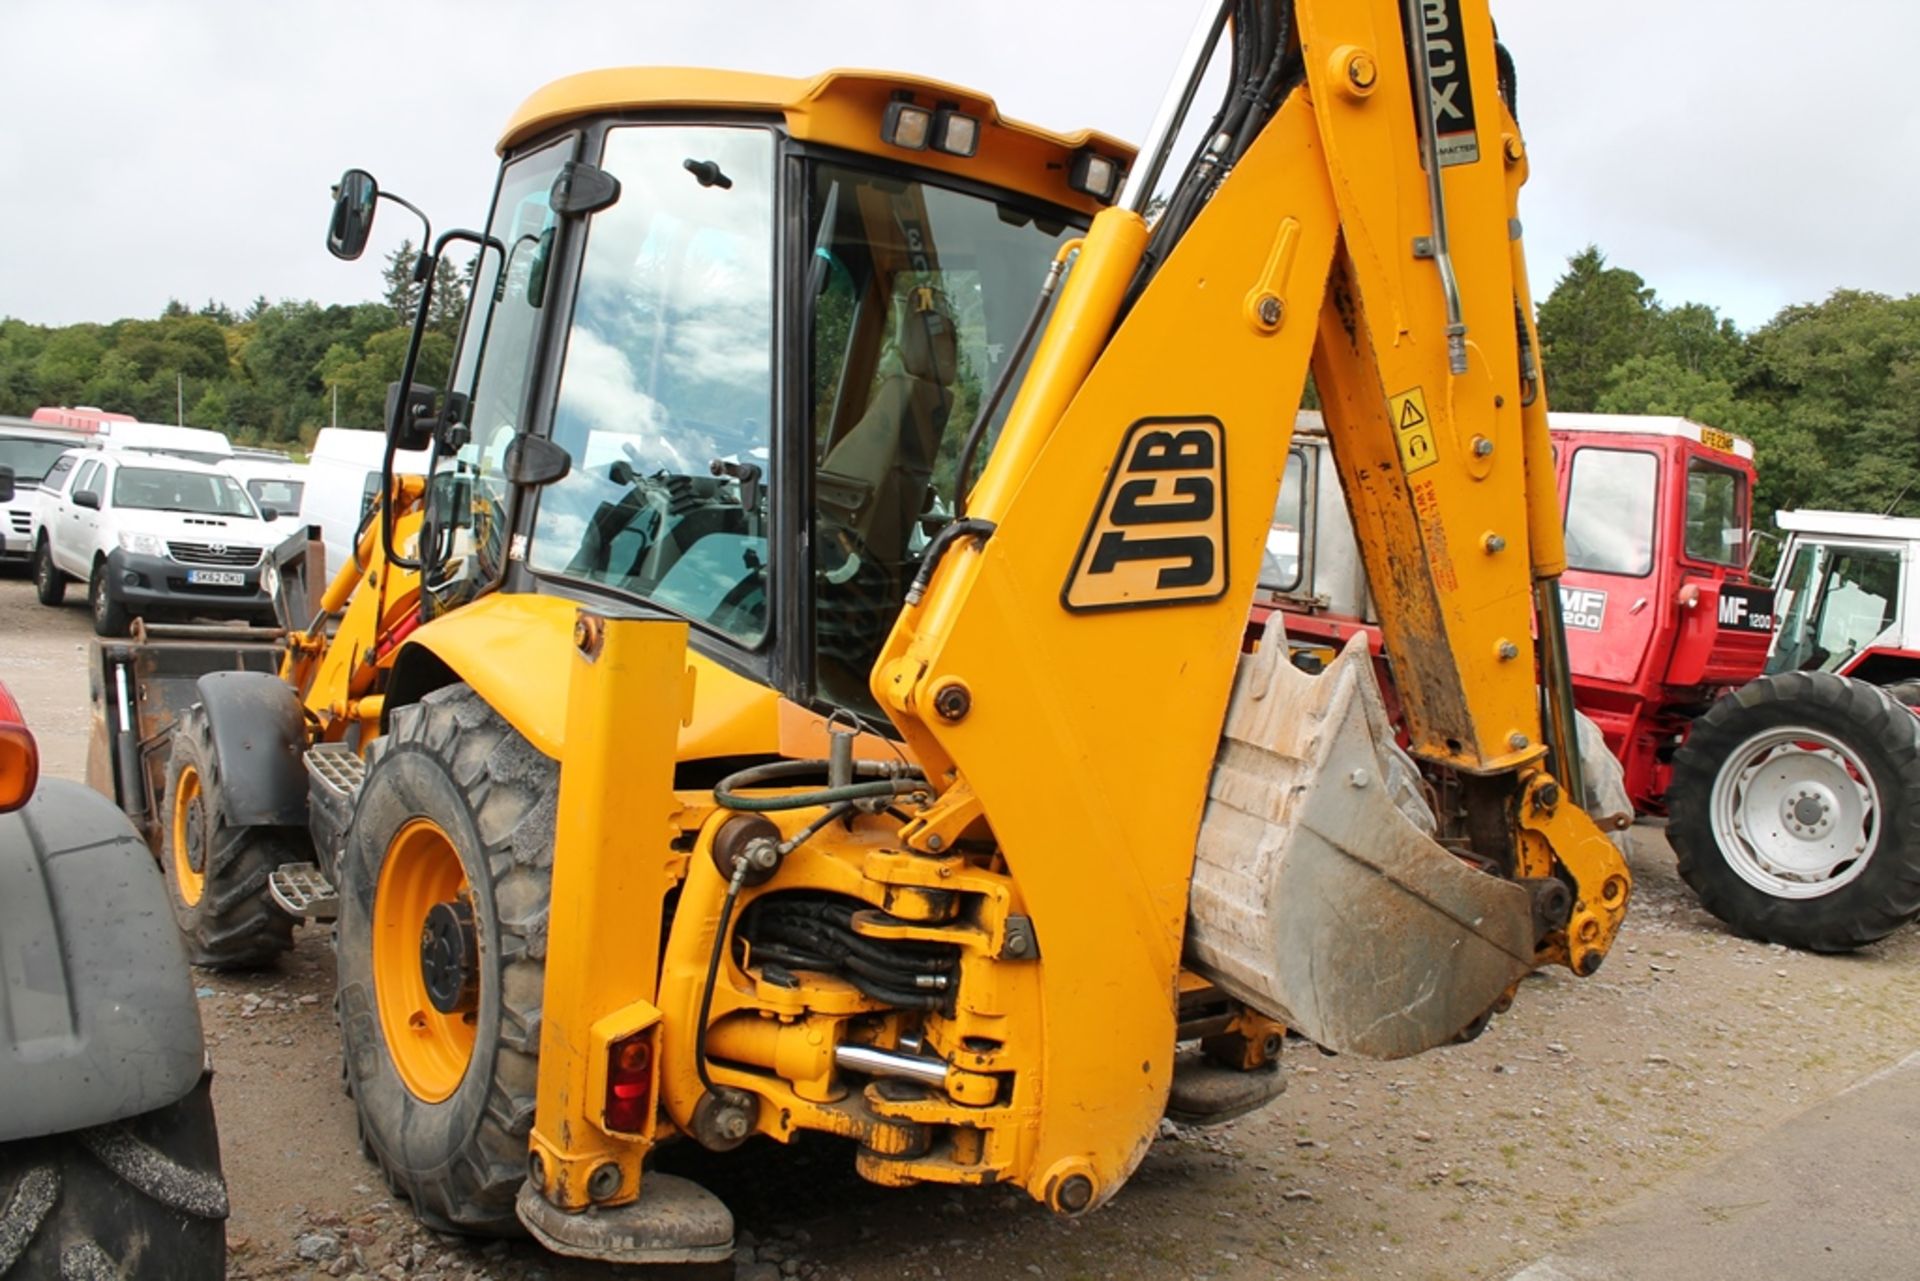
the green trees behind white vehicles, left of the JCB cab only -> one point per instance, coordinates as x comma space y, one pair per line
272, 374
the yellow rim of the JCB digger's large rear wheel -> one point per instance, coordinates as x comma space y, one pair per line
431, 1050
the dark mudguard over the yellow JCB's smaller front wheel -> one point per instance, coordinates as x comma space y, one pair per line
258, 738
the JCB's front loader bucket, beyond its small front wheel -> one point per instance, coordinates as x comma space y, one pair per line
141, 687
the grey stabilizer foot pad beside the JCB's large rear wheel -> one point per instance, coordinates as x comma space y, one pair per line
675, 1222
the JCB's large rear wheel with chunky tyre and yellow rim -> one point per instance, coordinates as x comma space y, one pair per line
458, 810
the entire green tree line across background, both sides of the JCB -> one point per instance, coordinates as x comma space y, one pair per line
1827, 391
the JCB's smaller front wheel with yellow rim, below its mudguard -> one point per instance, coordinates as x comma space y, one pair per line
216, 871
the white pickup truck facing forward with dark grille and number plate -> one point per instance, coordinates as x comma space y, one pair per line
153, 537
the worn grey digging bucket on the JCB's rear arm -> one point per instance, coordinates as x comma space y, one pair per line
1320, 898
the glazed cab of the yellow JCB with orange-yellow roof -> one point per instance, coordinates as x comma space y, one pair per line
729, 341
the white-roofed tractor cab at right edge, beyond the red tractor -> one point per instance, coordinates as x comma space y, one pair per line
1844, 587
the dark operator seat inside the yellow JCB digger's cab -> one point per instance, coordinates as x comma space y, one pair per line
875, 479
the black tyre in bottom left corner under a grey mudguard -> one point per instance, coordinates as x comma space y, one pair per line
139, 1199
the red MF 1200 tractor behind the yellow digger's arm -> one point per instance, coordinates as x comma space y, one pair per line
1787, 785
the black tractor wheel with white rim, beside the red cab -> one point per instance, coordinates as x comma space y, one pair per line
1794, 811
